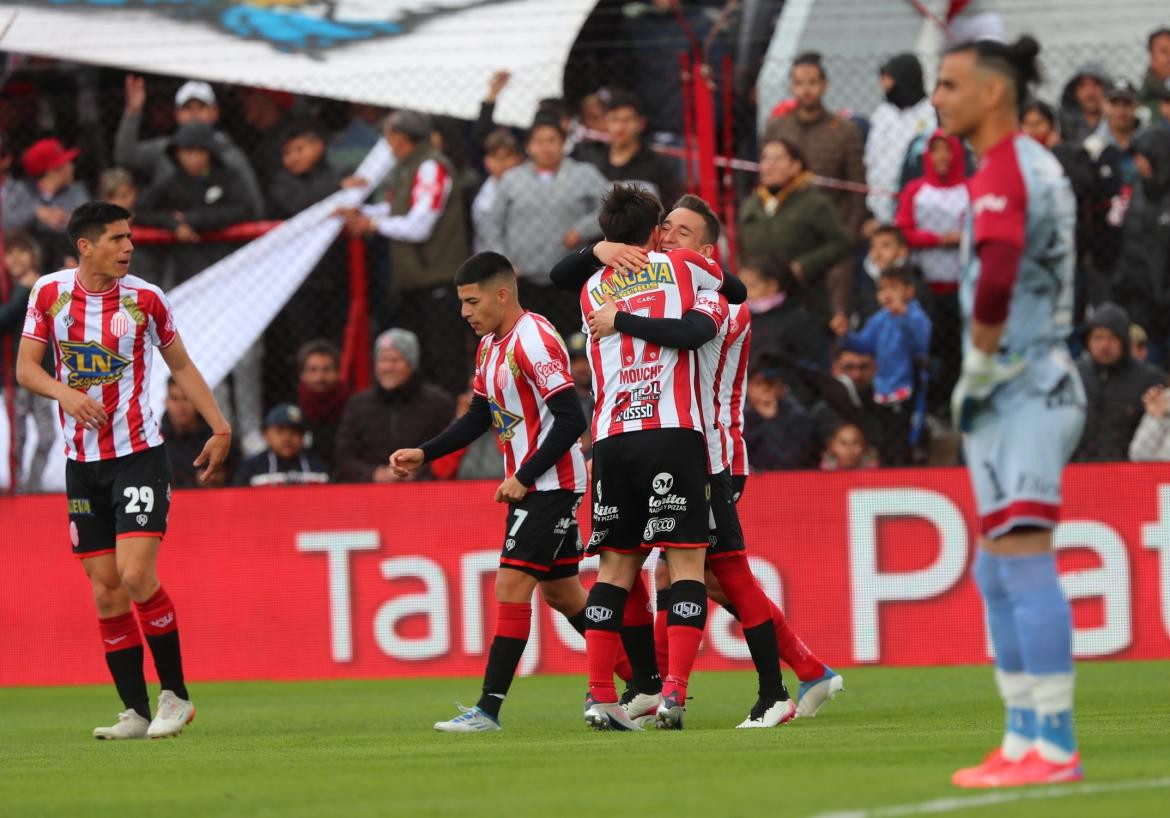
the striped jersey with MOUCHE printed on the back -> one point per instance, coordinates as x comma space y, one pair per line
638, 386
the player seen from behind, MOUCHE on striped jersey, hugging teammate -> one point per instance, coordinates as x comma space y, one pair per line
649, 460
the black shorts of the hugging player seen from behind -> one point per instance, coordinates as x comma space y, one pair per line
650, 491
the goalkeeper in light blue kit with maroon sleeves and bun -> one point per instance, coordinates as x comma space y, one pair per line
1020, 403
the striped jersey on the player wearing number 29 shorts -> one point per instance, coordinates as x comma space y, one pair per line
100, 348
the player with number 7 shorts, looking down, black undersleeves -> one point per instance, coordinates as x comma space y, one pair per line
524, 389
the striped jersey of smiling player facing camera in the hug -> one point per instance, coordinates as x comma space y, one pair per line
724, 383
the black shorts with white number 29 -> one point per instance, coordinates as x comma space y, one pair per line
112, 500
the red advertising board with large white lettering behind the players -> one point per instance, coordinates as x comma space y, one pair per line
397, 581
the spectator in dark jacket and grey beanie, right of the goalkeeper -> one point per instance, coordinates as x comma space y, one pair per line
1114, 386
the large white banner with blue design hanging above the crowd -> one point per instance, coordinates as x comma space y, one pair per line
431, 56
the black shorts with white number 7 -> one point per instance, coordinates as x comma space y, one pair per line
541, 535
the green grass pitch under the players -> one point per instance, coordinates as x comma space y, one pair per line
368, 750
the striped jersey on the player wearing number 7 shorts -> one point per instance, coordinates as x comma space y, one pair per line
517, 375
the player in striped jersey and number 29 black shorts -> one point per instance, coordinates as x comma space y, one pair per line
100, 321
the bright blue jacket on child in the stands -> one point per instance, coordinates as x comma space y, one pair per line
896, 342
